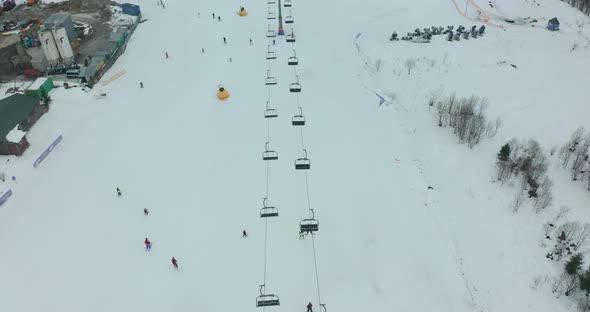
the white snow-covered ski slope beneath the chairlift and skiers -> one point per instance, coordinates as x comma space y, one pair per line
385, 243
